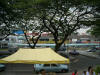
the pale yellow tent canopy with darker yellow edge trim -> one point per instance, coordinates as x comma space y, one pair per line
35, 56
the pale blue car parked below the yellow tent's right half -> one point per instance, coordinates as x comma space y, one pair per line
51, 67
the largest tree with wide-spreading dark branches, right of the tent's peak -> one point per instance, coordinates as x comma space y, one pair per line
66, 16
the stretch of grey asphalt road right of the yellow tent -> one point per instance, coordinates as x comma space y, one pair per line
82, 62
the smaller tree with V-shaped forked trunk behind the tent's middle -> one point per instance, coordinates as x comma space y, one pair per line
26, 21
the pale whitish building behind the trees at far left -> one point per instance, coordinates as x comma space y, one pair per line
11, 40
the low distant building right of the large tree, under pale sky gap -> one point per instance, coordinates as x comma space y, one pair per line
75, 38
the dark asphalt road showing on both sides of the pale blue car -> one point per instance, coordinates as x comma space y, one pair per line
77, 62
